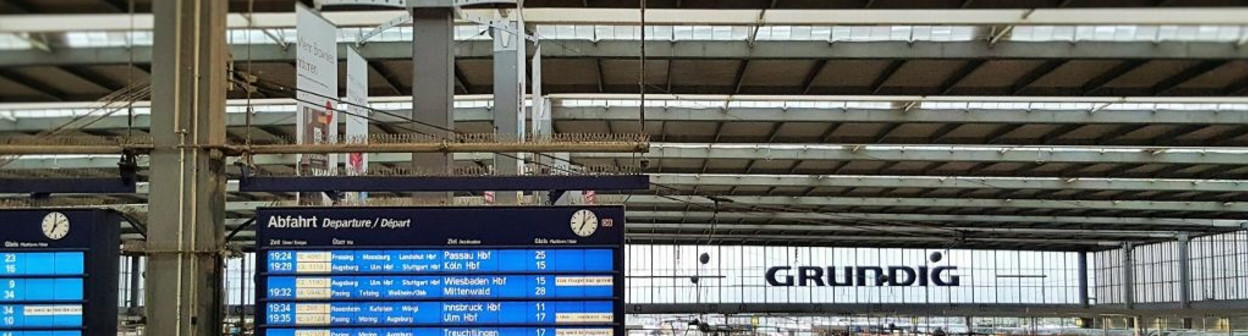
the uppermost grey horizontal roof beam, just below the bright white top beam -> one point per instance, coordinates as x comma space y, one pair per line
704, 51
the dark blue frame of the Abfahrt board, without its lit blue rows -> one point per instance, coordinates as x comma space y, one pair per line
500, 229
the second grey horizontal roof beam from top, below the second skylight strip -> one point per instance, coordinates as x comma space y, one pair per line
1013, 119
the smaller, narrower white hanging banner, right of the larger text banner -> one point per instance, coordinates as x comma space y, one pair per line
358, 118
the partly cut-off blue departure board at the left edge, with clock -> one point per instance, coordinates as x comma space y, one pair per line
59, 273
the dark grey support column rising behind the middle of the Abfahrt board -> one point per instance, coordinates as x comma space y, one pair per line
434, 84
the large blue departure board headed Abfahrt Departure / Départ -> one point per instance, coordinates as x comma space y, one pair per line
441, 272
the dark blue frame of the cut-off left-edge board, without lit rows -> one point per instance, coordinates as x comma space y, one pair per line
95, 234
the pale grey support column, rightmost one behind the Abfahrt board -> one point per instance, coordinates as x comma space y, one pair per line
509, 98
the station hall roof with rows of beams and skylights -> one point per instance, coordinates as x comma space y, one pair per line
1063, 129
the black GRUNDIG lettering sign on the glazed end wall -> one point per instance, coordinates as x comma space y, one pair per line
784, 277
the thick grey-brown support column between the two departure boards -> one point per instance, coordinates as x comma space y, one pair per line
188, 197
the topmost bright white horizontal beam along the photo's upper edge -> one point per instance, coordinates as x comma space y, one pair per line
698, 17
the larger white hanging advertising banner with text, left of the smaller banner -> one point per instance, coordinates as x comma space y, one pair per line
318, 71
